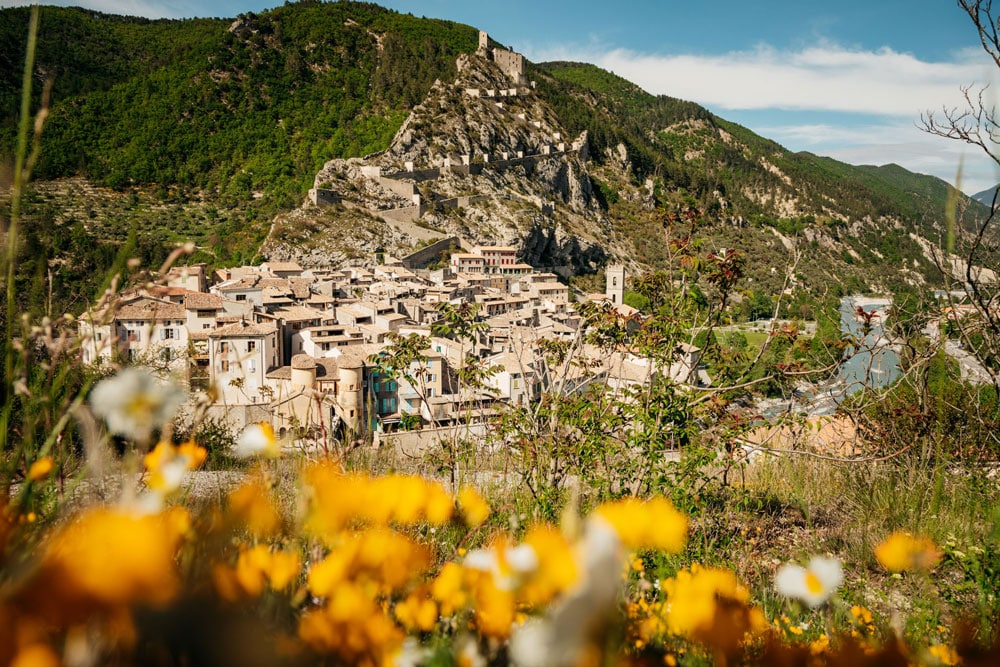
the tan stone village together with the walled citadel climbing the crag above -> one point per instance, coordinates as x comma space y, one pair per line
302, 347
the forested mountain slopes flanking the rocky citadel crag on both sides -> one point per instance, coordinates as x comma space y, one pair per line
208, 128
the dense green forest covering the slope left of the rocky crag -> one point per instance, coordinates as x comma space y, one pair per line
258, 107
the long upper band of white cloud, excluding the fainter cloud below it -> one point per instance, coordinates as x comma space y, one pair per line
823, 77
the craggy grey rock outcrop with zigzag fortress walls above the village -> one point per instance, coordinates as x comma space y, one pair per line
483, 158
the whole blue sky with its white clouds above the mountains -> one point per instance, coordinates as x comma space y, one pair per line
846, 79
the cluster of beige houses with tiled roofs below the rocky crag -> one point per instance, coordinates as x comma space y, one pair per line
300, 349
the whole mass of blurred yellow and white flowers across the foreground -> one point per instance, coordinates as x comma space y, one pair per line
303, 562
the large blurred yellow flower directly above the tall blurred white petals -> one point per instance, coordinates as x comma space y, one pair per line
649, 524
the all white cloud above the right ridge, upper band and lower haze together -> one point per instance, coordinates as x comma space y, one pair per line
893, 88
